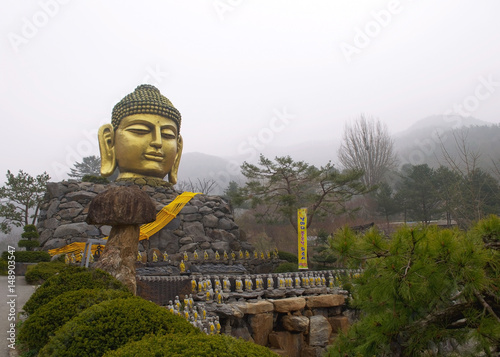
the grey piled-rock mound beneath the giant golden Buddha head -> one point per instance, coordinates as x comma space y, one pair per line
205, 223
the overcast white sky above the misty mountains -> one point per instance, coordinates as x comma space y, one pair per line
230, 66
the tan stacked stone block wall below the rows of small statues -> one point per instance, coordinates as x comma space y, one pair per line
294, 327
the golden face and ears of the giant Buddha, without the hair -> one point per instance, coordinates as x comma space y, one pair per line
143, 145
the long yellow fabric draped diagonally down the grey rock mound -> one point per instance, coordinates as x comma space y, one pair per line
163, 218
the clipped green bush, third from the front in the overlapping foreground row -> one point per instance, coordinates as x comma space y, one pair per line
36, 330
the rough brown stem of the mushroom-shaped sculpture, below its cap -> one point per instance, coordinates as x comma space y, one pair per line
120, 253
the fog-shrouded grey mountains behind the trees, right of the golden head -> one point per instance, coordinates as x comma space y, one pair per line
419, 144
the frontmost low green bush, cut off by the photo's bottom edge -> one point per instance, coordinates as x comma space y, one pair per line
191, 345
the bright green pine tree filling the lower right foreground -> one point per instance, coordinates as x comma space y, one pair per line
426, 291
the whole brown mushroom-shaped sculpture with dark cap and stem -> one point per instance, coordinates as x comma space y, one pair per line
124, 208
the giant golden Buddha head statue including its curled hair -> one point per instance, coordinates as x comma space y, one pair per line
143, 139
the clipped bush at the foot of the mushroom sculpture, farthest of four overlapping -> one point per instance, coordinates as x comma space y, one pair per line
68, 279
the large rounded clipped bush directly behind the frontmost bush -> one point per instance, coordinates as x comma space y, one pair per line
112, 324
